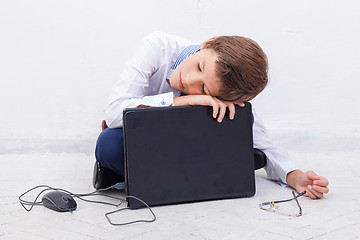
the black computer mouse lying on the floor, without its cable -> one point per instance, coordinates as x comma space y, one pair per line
59, 201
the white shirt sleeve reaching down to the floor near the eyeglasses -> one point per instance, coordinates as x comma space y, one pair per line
279, 162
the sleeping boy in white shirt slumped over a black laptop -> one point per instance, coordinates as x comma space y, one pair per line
221, 72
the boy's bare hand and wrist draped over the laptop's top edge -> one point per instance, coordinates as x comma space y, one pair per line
219, 106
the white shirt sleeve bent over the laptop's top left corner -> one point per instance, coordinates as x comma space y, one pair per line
128, 92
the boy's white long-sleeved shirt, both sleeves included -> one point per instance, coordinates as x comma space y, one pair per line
144, 81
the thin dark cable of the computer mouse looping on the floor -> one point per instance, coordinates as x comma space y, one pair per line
25, 203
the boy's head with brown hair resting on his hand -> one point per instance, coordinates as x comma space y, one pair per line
231, 68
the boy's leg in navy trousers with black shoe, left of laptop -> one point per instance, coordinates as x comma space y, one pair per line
109, 153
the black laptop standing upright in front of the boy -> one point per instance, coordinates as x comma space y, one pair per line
182, 154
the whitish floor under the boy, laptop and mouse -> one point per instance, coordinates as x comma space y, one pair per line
334, 217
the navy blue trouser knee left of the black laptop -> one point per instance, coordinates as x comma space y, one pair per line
109, 151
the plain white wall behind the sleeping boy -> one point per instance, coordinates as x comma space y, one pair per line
59, 60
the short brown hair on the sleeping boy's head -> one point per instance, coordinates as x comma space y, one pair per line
242, 67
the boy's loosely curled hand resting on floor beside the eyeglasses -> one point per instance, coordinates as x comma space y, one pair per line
314, 185
